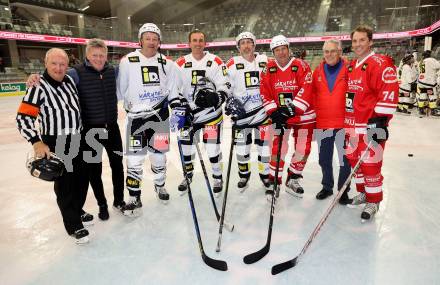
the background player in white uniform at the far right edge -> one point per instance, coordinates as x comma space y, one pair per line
427, 82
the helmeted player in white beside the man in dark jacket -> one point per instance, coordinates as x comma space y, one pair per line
147, 85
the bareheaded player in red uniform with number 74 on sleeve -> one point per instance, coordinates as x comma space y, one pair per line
371, 100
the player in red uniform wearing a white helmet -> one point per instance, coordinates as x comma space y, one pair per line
283, 84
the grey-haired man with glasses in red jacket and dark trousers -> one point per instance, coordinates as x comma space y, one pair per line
329, 88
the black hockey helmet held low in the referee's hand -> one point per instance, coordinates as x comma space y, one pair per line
48, 169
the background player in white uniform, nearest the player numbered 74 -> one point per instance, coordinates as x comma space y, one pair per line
407, 84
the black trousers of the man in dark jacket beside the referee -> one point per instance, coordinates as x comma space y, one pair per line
93, 169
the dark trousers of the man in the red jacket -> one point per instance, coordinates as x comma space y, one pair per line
326, 140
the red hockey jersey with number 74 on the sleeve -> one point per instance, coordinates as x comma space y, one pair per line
373, 91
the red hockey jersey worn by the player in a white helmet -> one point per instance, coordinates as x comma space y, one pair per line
288, 86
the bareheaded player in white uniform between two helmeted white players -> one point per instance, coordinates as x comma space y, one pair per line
206, 105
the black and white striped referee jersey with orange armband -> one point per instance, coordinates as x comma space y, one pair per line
56, 106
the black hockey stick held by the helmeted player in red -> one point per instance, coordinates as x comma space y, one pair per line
256, 256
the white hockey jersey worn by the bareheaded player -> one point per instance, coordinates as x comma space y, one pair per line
191, 70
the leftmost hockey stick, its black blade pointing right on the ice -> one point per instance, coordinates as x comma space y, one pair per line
214, 263
